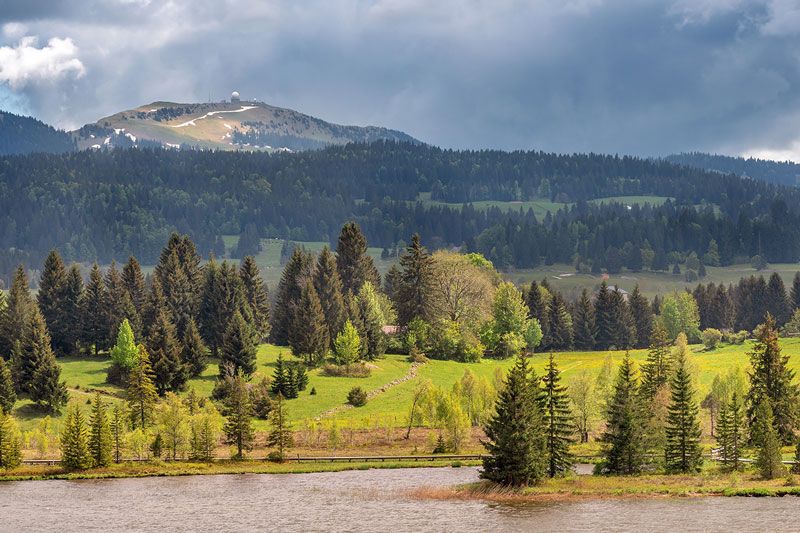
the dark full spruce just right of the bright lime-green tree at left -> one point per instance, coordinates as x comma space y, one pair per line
165, 350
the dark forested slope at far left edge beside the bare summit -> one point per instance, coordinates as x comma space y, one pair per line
25, 135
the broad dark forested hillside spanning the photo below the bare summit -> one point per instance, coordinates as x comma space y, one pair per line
108, 204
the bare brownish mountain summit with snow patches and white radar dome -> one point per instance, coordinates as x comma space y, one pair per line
225, 126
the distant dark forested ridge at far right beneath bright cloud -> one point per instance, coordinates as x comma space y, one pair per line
783, 172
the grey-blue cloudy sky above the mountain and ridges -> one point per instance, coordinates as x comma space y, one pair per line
633, 76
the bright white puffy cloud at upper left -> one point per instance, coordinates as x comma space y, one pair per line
26, 64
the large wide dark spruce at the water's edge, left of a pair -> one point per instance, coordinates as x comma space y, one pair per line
516, 439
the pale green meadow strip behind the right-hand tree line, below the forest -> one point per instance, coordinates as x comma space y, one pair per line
564, 278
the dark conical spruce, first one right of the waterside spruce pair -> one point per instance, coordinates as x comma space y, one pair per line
624, 438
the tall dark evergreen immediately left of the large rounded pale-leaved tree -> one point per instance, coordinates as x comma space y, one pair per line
414, 294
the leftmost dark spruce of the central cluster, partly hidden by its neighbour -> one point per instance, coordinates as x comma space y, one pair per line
295, 275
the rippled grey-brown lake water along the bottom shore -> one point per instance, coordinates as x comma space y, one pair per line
364, 500
